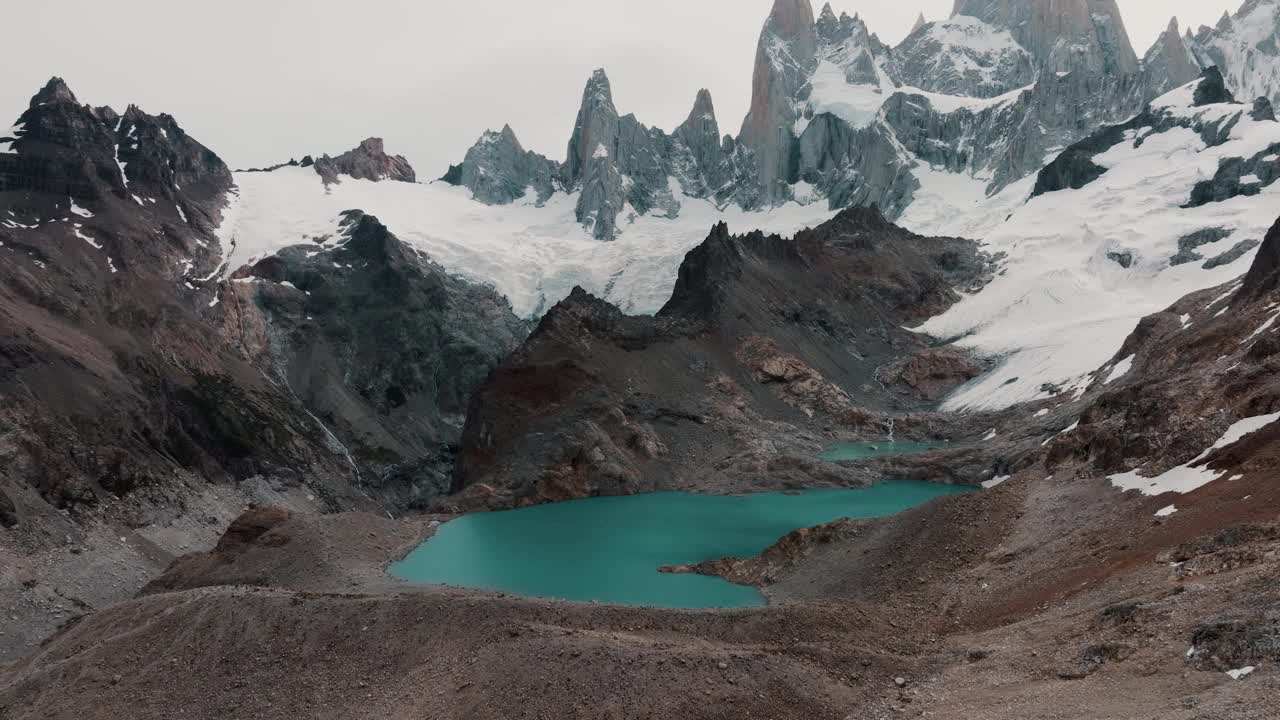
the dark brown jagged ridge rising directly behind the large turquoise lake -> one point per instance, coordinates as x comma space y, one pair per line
761, 334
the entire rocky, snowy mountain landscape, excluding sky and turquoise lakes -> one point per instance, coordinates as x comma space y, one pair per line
241, 393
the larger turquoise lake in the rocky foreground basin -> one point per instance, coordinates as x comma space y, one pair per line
610, 549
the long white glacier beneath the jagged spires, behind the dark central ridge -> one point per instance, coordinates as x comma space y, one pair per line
532, 254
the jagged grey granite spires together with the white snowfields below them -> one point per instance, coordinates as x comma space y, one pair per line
1016, 170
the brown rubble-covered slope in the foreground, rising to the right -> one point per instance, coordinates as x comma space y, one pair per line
1054, 595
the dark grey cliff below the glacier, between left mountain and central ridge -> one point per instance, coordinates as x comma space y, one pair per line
385, 347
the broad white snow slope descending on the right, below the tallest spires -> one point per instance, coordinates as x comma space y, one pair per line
1082, 267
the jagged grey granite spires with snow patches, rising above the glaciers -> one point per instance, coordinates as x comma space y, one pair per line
995, 92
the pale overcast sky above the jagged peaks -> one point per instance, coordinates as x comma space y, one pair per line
260, 81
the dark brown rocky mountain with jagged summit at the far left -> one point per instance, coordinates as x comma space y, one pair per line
102, 312
